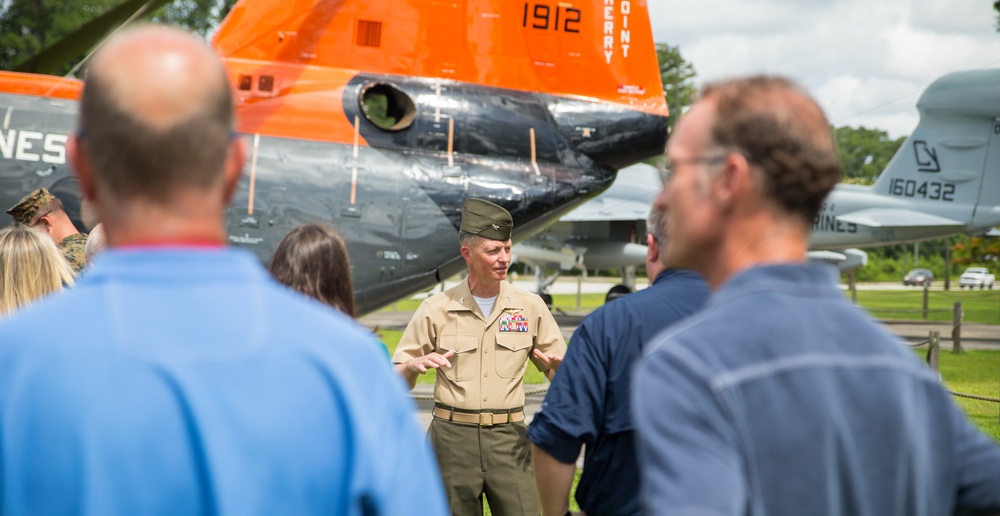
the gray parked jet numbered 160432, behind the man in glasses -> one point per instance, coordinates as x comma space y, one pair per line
945, 179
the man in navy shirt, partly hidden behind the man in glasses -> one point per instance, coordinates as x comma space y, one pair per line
588, 402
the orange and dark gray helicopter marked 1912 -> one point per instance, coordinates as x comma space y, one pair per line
379, 117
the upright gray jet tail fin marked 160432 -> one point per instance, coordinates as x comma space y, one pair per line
952, 159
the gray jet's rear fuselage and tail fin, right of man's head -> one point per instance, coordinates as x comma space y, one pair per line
945, 178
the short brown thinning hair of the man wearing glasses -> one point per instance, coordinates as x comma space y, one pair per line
783, 133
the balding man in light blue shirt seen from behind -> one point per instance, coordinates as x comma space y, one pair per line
177, 377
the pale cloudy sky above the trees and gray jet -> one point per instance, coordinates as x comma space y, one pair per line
865, 61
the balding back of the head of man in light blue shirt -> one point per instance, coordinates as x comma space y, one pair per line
156, 115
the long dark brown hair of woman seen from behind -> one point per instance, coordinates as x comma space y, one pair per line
312, 259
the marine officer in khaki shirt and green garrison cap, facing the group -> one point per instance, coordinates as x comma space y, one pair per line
480, 334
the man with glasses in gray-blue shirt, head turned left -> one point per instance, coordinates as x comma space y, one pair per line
780, 397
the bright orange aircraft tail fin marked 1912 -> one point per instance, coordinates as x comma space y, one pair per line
599, 49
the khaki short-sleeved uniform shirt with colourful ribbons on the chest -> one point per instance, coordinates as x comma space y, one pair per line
491, 353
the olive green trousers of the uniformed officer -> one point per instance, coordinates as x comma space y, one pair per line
494, 461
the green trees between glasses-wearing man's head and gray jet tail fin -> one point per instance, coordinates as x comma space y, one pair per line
864, 152
